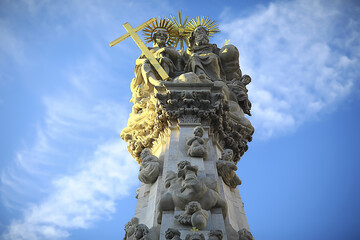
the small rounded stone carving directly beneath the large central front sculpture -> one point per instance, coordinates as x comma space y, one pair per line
193, 215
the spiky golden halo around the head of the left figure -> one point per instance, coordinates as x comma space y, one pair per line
160, 23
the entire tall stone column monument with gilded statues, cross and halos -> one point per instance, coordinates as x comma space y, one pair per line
187, 131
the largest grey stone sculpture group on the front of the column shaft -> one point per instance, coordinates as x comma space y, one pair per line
185, 187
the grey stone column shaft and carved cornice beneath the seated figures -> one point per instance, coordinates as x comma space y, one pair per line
186, 107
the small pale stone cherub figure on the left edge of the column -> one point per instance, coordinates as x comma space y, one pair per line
149, 168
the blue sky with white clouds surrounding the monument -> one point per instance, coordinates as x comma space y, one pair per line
64, 98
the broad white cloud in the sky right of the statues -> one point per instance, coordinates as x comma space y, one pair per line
303, 57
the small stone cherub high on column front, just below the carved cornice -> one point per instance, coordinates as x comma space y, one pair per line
197, 143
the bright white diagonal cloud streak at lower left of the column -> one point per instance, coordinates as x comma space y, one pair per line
80, 199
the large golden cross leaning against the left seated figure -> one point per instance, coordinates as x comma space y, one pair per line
131, 32
